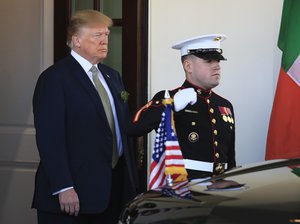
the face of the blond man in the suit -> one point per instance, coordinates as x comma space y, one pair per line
92, 43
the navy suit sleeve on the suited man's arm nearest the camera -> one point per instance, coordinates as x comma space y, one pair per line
49, 120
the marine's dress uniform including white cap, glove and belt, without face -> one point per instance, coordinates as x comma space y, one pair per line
205, 126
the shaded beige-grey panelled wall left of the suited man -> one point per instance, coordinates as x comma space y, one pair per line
26, 49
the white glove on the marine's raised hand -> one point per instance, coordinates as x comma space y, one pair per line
184, 97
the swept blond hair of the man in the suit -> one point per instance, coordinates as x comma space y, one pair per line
86, 18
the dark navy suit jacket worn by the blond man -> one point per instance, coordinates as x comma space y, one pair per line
74, 139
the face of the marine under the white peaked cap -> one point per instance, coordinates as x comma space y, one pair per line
203, 73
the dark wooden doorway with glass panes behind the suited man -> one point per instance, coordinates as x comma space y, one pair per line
134, 25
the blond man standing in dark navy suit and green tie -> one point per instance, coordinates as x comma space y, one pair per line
86, 171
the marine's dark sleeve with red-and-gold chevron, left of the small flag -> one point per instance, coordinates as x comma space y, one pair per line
146, 118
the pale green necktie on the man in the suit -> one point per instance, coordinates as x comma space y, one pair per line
108, 111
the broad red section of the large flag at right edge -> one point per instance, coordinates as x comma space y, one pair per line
283, 135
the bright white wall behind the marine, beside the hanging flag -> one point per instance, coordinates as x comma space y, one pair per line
249, 75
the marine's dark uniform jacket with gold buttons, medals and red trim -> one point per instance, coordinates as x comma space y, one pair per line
205, 130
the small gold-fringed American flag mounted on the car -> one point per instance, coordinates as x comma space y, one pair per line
167, 161
